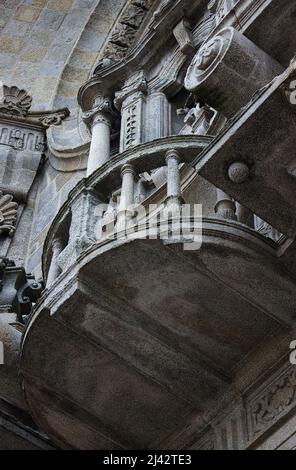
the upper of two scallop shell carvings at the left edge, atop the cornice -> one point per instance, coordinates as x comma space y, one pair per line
15, 101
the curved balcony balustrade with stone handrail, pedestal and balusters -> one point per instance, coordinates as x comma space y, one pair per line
81, 216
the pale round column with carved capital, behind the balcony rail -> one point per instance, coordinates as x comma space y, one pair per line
99, 118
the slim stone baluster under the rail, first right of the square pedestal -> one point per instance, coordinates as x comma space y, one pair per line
125, 212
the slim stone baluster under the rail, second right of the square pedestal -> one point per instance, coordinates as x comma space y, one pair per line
173, 198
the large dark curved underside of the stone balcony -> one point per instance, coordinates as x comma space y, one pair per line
132, 342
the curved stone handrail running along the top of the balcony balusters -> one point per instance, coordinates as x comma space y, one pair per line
108, 177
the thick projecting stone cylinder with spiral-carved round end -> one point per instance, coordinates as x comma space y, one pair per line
227, 70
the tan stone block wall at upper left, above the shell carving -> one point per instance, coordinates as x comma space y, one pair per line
42, 41
